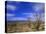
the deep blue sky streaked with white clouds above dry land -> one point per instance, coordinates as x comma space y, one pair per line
23, 10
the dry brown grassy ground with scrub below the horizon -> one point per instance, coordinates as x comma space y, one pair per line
25, 27
